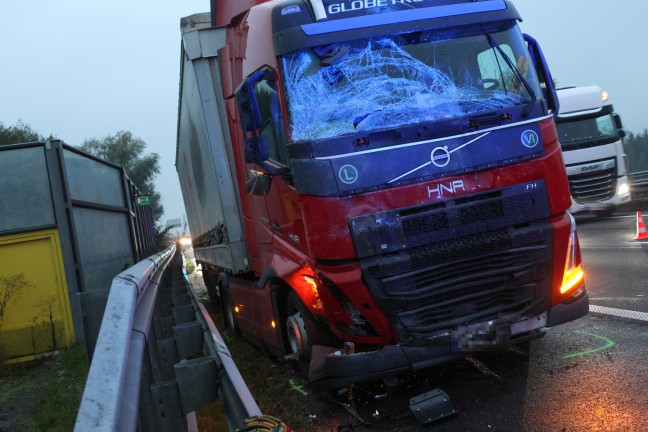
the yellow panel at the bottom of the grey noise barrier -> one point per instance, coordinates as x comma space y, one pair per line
37, 316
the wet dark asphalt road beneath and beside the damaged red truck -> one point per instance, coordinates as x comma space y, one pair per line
587, 375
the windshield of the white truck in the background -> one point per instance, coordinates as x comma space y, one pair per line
573, 133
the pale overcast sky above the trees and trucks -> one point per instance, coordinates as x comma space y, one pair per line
81, 69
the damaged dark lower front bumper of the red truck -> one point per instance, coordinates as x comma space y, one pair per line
339, 369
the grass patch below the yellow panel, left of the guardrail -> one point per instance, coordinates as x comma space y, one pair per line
43, 394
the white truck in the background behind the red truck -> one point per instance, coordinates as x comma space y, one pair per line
591, 134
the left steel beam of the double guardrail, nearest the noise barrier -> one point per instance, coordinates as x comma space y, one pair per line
113, 380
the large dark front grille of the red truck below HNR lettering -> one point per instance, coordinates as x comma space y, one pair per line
463, 261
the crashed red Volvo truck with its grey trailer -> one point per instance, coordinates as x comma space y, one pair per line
375, 186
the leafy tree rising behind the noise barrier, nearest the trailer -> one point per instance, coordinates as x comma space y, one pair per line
124, 149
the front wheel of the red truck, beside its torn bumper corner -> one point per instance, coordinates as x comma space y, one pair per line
302, 331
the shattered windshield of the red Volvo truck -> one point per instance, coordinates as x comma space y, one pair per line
404, 79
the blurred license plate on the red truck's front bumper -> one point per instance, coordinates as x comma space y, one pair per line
480, 337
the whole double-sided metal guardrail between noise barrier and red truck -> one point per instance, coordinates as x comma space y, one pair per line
159, 356
